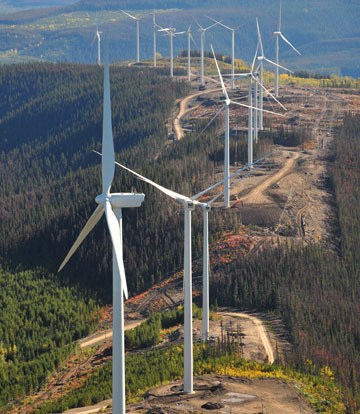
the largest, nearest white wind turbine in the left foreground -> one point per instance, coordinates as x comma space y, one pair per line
112, 204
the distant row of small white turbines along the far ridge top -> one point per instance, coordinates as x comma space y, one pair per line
171, 32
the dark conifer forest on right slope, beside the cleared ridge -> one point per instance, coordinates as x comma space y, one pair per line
315, 291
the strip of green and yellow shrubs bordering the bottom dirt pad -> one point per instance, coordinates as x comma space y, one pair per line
213, 359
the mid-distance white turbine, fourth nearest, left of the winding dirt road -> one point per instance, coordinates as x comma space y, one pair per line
228, 102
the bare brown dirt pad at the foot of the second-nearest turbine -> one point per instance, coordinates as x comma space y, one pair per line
226, 395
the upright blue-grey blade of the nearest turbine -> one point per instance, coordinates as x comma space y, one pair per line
108, 157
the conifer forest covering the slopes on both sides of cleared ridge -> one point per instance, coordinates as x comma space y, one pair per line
50, 121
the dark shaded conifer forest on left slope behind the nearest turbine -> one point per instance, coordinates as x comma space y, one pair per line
50, 176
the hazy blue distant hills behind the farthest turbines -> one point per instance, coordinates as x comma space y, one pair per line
326, 32
